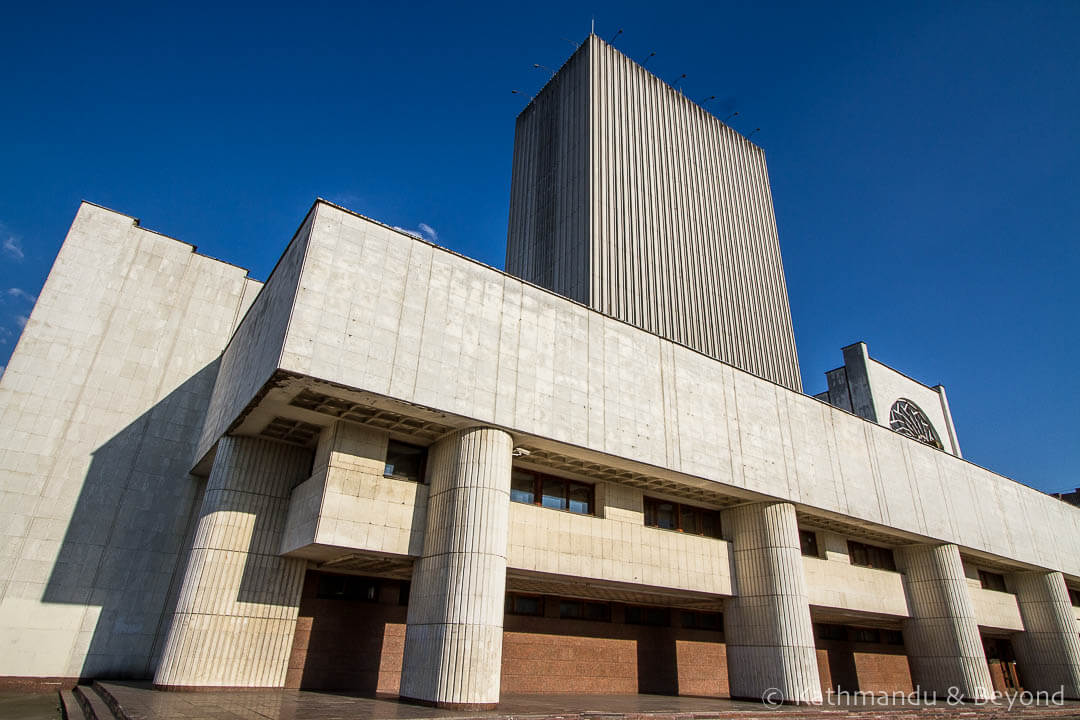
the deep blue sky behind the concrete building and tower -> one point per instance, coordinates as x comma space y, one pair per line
925, 158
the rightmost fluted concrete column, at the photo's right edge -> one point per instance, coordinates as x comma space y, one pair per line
1048, 651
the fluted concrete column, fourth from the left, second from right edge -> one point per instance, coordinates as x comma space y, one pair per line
944, 648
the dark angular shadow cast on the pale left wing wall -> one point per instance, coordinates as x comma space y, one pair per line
124, 553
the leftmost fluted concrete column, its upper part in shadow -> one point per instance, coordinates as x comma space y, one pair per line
236, 616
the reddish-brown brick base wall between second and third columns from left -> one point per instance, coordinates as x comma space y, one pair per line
552, 656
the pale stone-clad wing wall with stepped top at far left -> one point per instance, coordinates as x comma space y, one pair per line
101, 409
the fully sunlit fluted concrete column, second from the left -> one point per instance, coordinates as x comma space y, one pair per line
454, 633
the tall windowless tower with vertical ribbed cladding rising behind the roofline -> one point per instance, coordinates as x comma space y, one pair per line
631, 199
